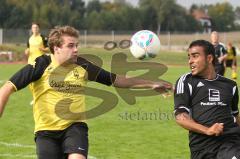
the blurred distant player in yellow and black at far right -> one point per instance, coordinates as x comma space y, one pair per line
231, 60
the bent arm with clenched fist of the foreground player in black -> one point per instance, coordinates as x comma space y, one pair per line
182, 109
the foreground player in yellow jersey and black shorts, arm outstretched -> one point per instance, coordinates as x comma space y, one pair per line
58, 82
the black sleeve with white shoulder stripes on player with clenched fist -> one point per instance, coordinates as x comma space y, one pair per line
182, 96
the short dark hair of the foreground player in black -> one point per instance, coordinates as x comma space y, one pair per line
207, 47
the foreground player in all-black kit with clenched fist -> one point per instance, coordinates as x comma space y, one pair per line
206, 104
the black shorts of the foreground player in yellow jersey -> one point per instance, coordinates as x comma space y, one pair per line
58, 144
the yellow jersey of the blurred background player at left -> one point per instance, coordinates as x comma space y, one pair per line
34, 43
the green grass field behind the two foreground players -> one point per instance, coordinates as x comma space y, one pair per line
118, 134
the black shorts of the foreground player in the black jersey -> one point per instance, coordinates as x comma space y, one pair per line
230, 148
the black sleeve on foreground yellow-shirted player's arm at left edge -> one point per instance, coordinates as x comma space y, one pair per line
30, 73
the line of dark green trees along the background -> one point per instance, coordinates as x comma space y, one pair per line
157, 15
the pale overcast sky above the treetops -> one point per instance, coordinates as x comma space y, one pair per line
188, 3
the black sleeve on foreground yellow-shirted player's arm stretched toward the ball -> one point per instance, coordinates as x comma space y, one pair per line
95, 73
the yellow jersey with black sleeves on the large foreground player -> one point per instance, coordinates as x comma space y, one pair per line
57, 87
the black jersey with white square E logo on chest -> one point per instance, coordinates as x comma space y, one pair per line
207, 102
